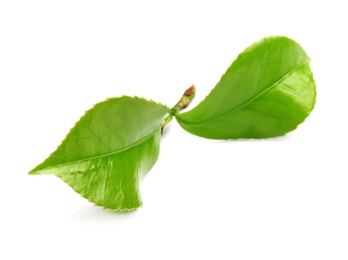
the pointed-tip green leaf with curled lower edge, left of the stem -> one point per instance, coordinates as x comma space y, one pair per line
109, 150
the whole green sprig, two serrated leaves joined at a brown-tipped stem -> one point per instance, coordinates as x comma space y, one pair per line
266, 92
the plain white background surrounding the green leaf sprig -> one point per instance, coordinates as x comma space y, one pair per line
284, 198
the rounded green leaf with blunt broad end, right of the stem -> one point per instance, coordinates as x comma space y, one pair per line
266, 92
